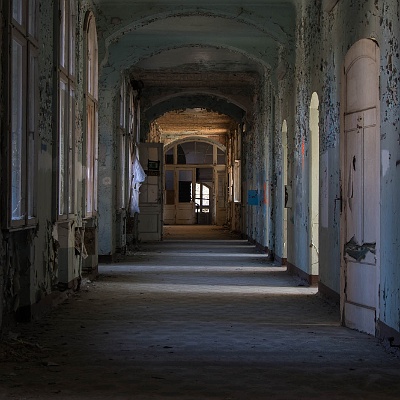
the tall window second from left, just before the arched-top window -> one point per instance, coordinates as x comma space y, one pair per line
66, 110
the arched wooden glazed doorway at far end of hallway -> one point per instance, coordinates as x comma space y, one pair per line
195, 182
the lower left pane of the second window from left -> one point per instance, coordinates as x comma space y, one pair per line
62, 146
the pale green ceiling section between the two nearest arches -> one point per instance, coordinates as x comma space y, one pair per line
195, 34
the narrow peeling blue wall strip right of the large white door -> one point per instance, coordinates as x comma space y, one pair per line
388, 39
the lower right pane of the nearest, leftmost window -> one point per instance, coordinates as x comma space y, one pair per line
32, 115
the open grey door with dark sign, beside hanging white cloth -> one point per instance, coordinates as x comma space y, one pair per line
150, 218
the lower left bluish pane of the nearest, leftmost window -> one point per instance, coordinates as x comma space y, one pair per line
17, 131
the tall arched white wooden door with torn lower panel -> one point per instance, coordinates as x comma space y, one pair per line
361, 188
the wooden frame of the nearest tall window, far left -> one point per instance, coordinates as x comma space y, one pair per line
27, 120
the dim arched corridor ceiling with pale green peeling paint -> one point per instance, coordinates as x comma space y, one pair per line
184, 51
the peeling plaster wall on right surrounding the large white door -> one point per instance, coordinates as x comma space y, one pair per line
323, 40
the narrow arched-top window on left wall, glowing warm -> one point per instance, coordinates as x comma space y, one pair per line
91, 116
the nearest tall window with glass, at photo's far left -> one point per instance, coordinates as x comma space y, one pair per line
23, 83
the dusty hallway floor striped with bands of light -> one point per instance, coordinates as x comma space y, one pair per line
204, 317
